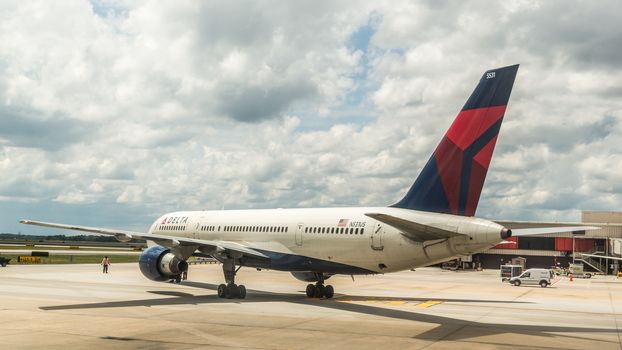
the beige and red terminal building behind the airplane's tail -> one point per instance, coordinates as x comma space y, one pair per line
561, 249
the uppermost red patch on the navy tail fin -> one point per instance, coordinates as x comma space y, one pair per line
472, 123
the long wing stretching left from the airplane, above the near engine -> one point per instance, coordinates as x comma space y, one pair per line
163, 240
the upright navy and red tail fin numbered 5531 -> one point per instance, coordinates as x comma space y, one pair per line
452, 180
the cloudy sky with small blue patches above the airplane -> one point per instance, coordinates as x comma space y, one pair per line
115, 112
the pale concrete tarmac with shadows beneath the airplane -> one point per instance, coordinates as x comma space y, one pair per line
76, 306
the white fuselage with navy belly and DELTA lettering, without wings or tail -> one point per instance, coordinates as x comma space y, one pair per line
333, 240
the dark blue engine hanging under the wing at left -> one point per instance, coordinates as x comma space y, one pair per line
159, 264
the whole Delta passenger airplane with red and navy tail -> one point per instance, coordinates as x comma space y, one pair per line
432, 223
